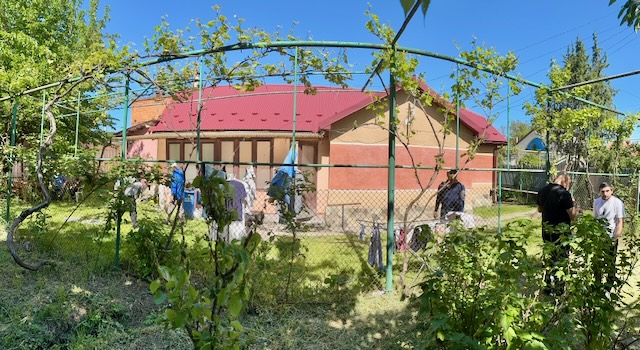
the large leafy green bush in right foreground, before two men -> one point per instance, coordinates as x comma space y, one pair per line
486, 291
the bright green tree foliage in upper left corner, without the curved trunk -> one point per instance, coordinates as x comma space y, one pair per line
44, 42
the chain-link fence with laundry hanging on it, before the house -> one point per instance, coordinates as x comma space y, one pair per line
343, 234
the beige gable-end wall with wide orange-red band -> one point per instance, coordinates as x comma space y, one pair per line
367, 144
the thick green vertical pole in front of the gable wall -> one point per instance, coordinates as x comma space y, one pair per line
391, 177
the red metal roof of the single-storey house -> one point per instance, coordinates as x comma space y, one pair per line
270, 108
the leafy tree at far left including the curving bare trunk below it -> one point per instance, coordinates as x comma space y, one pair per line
55, 43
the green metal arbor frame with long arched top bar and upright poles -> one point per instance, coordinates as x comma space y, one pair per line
295, 45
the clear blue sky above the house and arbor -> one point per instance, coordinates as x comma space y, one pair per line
536, 31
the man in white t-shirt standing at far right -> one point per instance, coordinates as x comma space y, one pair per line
611, 209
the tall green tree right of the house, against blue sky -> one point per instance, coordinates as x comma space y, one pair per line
576, 129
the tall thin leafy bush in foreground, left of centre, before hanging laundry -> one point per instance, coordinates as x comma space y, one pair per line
209, 310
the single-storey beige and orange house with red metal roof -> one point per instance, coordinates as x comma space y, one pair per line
332, 127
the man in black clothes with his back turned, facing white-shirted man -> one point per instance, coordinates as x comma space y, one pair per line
557, 207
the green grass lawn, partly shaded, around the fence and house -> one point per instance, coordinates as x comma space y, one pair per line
337, 299
